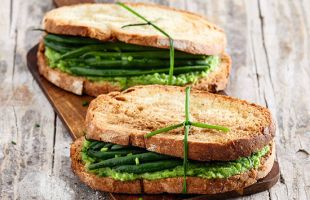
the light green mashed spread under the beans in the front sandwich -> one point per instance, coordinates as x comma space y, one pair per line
208, 170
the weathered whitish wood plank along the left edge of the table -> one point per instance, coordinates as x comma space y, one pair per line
21, 107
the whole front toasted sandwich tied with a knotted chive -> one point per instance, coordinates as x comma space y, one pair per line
138, 142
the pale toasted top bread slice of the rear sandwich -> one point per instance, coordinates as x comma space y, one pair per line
191, 33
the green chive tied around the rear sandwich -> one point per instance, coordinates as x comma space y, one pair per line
171, 46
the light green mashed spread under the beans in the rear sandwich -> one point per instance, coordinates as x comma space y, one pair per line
125, 82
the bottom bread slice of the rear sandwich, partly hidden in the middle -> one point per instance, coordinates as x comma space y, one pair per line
215, 81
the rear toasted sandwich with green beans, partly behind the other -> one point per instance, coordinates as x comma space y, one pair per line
99, 48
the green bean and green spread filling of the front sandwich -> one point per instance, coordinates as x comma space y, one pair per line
130, 163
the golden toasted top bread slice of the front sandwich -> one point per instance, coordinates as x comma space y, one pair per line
125, 117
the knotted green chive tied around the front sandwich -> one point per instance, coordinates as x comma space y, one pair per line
187, 124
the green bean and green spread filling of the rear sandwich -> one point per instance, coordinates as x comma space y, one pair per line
124, 64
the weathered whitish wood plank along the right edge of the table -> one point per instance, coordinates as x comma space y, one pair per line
286, 33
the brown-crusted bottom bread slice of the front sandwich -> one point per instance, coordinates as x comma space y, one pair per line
195, 185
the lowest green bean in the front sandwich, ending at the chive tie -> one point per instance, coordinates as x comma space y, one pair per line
149, 167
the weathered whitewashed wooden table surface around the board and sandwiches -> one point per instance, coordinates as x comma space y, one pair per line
270, 47
